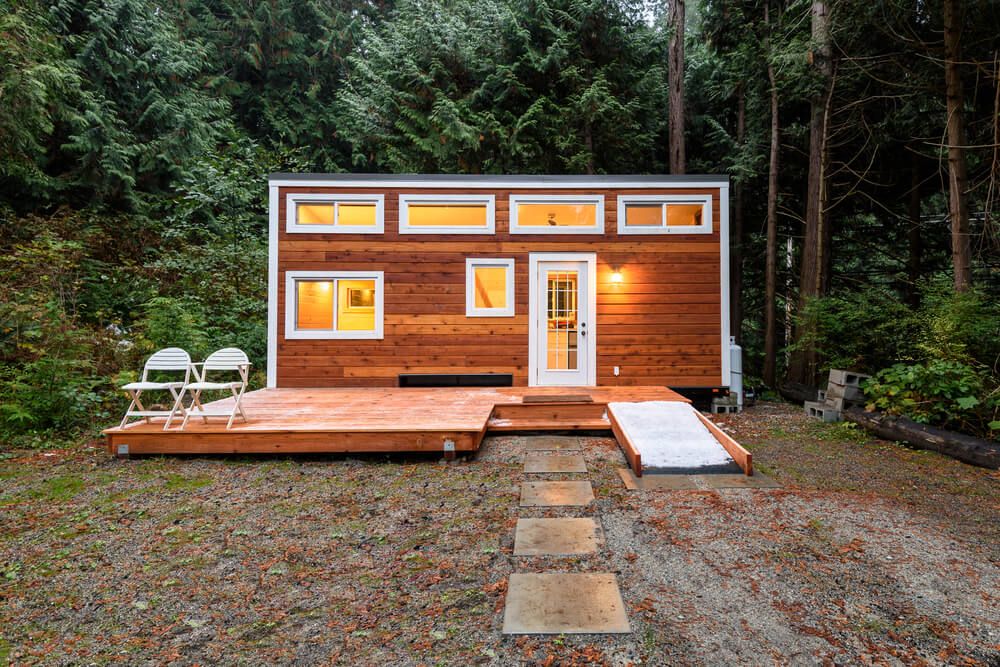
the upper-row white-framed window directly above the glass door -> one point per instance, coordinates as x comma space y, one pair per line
557, 214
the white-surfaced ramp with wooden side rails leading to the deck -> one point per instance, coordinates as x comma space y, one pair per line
673, 437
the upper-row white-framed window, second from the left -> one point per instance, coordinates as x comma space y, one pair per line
447, 214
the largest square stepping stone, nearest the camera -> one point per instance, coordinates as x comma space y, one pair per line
564, 603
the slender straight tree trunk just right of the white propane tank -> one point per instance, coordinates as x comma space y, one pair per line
771, 270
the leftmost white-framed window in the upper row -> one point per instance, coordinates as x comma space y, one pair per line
328, 213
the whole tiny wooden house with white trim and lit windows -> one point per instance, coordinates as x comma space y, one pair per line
382, 280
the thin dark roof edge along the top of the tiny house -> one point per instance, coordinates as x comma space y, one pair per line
503, 178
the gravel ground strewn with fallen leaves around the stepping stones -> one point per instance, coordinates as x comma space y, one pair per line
871, 553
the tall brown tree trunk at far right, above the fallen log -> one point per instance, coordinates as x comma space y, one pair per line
958, 210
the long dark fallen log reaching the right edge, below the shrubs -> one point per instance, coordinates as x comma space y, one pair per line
966, 448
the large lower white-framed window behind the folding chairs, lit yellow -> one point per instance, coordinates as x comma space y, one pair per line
334, 304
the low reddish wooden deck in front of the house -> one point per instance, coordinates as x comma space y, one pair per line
293, 421
